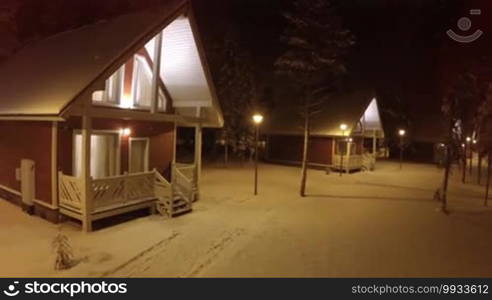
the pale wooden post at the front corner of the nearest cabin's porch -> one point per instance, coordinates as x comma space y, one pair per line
86, 173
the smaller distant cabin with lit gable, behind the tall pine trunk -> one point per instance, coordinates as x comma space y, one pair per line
355, 148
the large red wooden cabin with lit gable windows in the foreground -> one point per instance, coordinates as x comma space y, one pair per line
88, 117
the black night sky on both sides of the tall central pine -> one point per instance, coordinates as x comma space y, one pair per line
402, 50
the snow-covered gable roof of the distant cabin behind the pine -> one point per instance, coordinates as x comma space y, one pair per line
339, 108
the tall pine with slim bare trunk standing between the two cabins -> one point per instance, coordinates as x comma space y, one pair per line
316, 45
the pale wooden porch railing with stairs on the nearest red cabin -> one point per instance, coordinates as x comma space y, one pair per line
119, 192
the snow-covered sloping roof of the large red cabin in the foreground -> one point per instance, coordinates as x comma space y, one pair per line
44, 77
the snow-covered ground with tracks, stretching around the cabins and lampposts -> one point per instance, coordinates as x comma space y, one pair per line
382, 223
